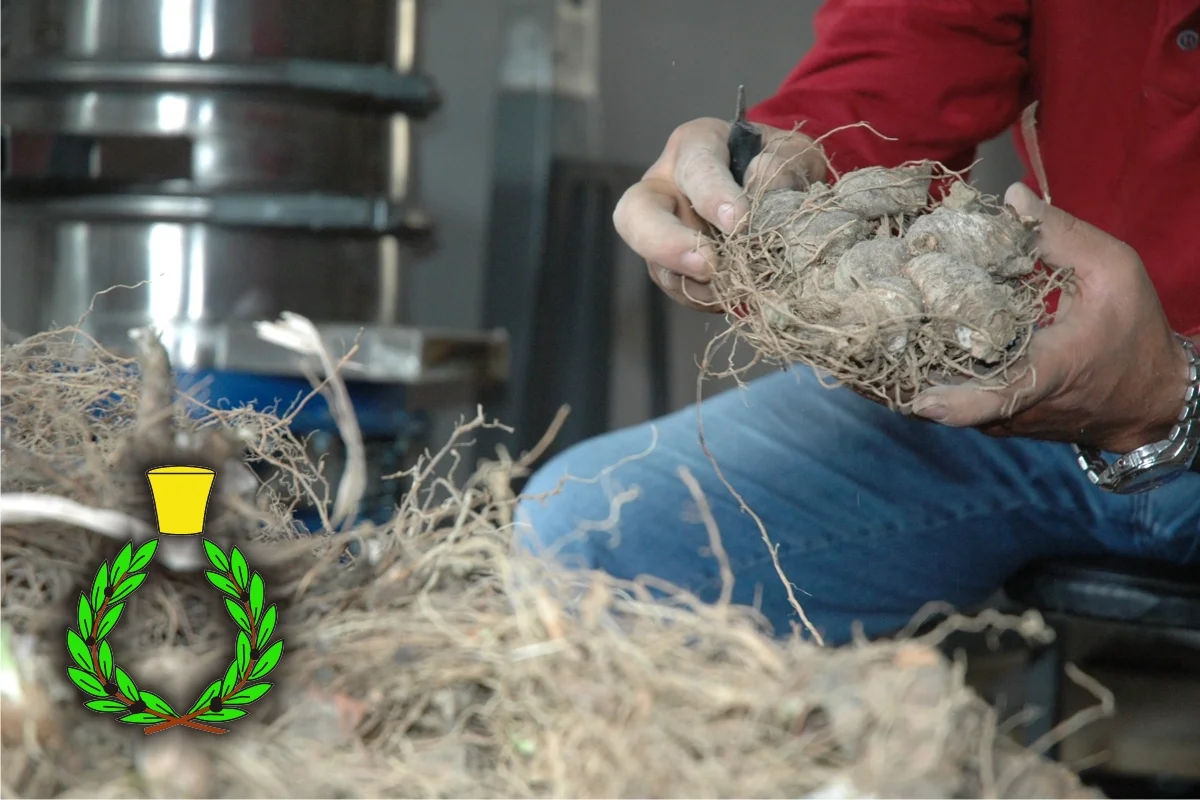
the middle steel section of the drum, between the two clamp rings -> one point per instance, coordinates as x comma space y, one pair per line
197, 142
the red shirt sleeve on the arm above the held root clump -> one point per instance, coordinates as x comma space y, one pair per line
937, 76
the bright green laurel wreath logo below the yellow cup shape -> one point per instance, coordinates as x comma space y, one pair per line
98, 675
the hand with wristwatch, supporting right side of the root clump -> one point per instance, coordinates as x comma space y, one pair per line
1107, 374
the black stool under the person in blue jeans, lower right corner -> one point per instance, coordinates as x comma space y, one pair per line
1150, 596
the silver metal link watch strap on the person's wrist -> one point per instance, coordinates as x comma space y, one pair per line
1184, 442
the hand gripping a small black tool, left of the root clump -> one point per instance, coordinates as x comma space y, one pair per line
667, 216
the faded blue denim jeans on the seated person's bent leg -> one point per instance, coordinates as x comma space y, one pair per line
874, 514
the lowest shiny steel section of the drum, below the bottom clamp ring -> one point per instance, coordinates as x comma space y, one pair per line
184, 275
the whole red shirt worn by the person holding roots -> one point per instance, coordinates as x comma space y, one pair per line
1118, 85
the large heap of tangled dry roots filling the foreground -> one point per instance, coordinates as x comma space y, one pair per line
425, 658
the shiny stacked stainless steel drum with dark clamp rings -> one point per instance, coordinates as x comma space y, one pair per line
230, 159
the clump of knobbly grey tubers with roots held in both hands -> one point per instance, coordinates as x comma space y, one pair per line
885, 290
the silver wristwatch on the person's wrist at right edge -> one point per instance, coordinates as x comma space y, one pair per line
1150, 467
